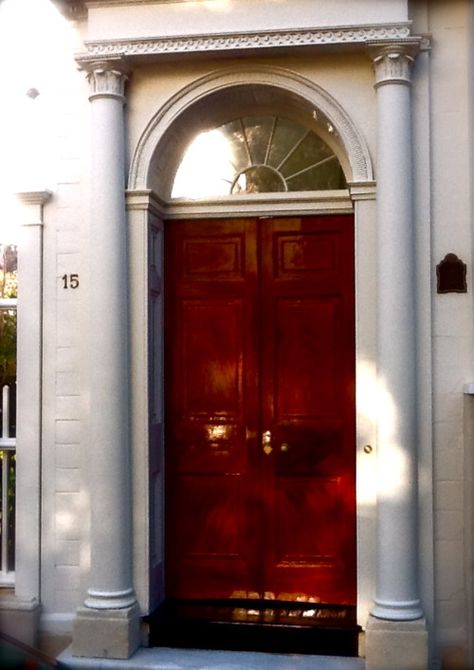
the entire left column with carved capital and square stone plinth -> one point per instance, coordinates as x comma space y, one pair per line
111, 599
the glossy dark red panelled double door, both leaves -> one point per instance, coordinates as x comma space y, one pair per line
260, 420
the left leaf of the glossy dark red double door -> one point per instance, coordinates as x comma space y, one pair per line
210, 275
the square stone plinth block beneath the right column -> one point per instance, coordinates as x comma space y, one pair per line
396, 645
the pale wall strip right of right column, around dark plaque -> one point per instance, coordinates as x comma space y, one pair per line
452, 313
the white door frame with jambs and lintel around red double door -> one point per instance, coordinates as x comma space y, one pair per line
147, 218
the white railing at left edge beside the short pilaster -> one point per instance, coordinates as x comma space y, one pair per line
7, 476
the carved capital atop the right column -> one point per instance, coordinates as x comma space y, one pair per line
393, 61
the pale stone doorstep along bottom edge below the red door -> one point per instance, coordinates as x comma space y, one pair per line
157, 658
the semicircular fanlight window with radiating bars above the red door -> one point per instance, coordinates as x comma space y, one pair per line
256, 154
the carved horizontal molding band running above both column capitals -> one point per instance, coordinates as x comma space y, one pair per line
338, 35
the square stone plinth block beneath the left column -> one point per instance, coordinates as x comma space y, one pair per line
112, 633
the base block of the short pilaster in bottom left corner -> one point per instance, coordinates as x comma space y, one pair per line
20, 618
